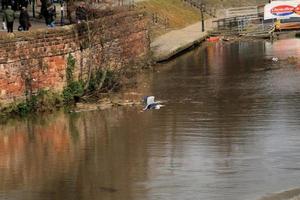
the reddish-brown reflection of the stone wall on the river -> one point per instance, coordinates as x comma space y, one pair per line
69, 157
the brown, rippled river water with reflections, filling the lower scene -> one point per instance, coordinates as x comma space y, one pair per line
230, 131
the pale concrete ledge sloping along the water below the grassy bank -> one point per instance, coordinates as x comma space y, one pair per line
174, 42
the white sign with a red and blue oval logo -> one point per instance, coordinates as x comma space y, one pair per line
282, 10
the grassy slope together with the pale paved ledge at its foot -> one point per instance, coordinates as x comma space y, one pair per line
174, 27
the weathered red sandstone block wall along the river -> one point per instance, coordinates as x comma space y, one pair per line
117, 40
